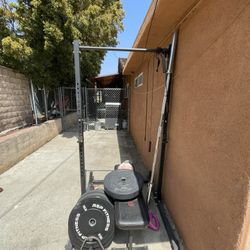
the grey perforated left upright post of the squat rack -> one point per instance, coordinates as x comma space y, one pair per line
79, 114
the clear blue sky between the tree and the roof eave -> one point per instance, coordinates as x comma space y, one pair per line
135, 11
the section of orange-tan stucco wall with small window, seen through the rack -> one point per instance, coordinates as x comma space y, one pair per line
145, 104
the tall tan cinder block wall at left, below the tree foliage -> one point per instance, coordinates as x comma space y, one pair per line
15, 107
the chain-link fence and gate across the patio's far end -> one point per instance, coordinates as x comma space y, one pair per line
103, 108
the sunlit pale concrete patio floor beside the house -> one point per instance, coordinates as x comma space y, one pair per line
40, 191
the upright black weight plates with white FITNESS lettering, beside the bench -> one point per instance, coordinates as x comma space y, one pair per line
93, 215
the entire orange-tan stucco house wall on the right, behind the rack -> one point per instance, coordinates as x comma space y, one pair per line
206, 177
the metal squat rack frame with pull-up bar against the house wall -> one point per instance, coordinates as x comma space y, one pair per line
168, 58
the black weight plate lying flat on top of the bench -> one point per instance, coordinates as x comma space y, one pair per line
123, 185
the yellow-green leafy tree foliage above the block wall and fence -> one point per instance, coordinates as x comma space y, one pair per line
36, 36
